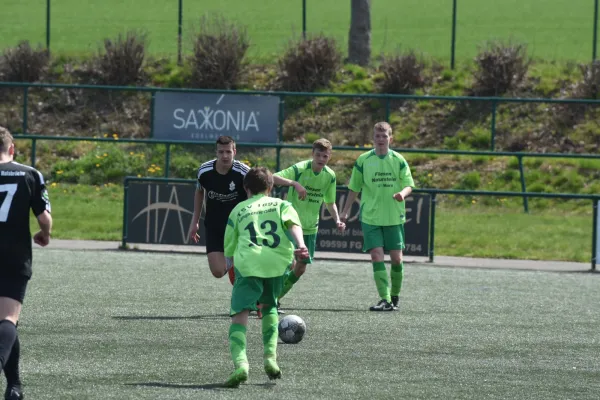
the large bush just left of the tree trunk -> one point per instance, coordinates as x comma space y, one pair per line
308, 64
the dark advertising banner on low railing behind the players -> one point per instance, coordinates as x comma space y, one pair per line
161, 213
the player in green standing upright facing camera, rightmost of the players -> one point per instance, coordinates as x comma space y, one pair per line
385, 180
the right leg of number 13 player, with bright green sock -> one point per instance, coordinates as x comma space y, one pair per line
272, 288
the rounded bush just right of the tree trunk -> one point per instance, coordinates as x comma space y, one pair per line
402, 73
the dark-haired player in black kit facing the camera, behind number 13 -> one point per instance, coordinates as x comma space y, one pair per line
220, 187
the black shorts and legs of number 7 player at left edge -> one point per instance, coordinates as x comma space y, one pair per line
12, 293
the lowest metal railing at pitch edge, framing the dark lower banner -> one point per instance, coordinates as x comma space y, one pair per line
434, 195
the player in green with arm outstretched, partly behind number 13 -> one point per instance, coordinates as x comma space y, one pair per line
311, 183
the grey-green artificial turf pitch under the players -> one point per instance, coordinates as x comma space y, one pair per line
103, 325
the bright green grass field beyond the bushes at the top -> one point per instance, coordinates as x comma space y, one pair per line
554, 29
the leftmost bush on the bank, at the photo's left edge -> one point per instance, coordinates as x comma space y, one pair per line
23, 63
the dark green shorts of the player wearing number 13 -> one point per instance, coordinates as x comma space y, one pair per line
248, 291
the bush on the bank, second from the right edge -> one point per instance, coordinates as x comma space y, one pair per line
500, 68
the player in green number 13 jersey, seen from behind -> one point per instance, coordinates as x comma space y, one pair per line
256, 239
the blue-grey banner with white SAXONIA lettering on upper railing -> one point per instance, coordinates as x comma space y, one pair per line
200, 116
